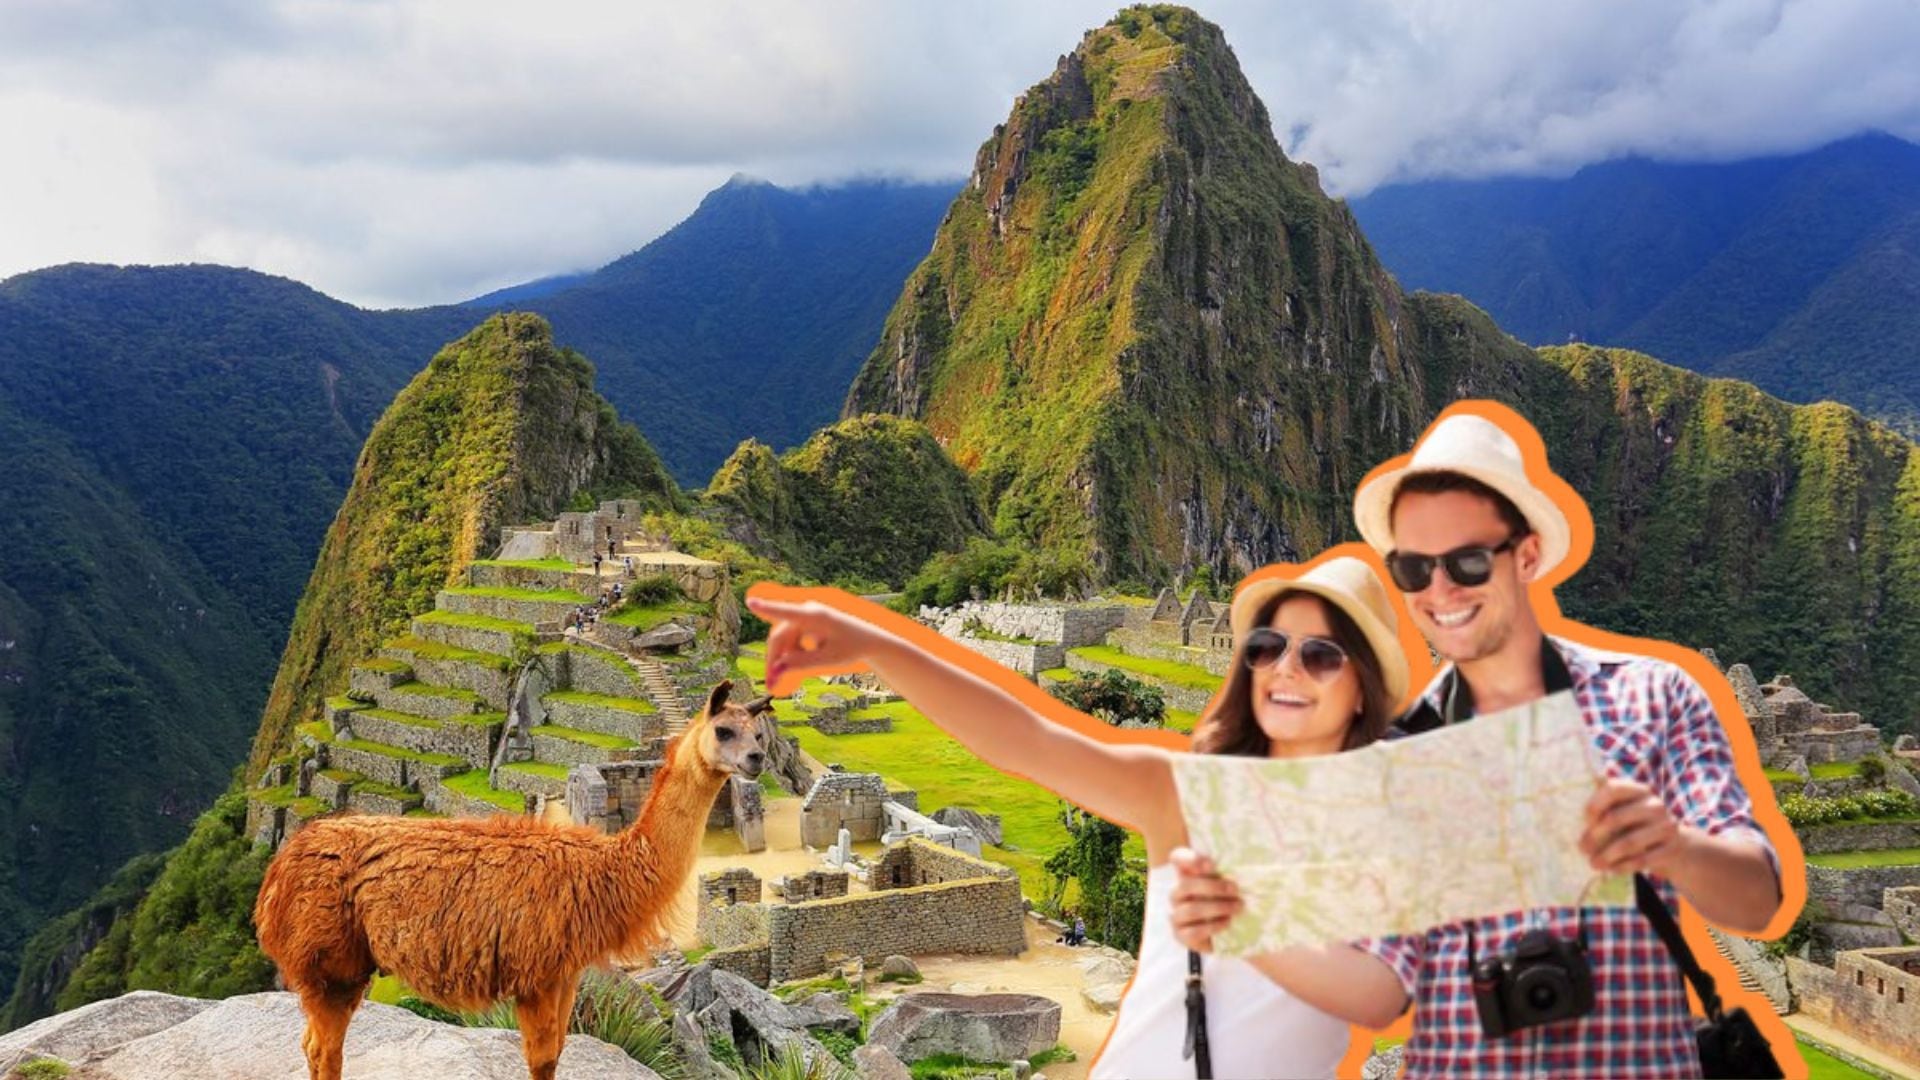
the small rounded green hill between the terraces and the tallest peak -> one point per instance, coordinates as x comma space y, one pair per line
865, 501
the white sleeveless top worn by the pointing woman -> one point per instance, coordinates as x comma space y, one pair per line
1255, 1027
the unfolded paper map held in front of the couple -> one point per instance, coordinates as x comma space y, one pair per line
1399, 837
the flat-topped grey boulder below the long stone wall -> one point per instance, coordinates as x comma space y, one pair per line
990, 1027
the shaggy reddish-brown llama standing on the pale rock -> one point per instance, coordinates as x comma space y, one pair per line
473, 912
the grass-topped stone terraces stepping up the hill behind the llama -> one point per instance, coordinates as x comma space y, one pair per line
420, 724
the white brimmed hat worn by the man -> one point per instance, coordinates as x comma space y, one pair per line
1472, 447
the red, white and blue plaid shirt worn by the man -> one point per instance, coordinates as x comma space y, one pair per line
1658, 727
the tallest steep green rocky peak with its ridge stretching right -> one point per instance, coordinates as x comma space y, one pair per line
1153, 341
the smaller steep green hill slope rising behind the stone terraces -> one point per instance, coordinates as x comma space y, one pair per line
500, 430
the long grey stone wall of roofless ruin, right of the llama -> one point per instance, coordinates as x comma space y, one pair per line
976, 918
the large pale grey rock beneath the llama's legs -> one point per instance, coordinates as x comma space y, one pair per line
258, 1039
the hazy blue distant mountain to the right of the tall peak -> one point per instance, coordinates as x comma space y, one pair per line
1798, 274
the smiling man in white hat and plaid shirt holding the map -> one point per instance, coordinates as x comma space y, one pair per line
1466, 531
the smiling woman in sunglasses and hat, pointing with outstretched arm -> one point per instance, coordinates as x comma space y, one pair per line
1318, 668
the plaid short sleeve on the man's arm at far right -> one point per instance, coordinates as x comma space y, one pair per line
1700, 781
